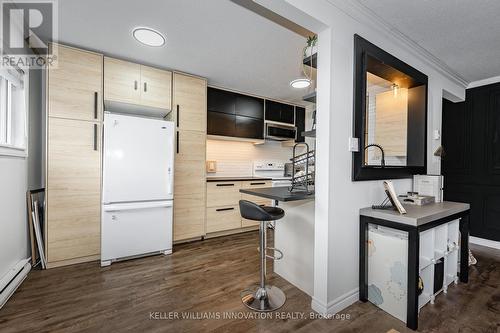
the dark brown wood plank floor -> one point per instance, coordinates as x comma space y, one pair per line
204, 278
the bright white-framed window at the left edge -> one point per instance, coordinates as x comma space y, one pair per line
13, 108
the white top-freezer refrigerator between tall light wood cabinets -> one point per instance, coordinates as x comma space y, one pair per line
137, 200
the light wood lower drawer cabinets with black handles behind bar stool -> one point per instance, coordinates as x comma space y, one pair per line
222, 210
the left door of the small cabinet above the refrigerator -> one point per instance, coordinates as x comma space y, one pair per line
121, 81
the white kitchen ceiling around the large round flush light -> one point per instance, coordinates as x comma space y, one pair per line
217, 39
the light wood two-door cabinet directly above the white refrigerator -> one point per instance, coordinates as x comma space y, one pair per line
131, 83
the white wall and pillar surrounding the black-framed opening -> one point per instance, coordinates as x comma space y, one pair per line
338, 199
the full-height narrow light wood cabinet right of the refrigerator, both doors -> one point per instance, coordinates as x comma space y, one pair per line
190, 174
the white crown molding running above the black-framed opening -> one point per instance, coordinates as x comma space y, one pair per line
366, 16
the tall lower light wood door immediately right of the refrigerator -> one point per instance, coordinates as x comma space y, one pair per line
189, 185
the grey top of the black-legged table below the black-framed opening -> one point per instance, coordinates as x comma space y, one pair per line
417, 215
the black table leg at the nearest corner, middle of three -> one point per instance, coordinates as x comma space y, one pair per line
413, 273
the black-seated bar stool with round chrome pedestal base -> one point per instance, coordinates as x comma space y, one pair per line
263, 297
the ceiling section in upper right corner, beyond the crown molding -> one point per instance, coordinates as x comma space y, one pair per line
463, 34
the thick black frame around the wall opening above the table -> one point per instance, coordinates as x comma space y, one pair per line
363, 48
